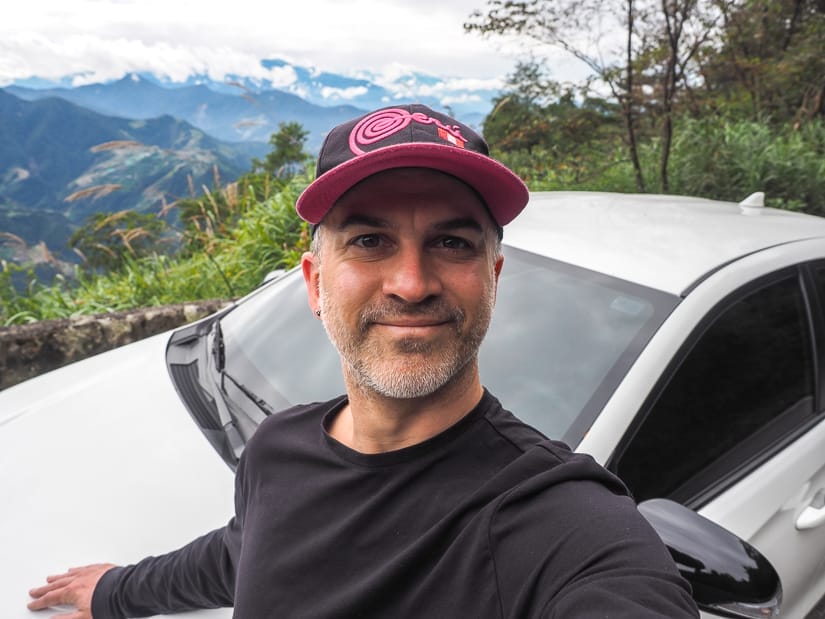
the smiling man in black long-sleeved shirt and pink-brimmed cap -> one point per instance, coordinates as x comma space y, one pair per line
415, 494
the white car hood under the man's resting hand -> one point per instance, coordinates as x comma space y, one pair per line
101, 463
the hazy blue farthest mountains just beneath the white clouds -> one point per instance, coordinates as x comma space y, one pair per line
241, 108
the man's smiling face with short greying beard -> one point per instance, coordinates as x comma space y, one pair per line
406, 280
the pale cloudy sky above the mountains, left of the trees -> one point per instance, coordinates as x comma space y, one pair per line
98, 40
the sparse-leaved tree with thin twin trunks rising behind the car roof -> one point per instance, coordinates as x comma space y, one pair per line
660, 42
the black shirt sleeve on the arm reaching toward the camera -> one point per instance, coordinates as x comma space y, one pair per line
580, 549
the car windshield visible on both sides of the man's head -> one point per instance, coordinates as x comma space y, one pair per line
560, 341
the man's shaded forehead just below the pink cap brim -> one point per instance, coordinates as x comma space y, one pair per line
410, 192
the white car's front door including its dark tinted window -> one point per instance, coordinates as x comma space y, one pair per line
733, 426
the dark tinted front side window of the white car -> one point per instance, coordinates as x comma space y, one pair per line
744, 385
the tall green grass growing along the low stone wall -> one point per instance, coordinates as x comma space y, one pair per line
267, 236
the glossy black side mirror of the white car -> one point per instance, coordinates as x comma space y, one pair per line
730, 578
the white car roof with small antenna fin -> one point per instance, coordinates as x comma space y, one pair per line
661, 241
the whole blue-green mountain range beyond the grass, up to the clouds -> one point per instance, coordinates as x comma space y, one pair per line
142, 141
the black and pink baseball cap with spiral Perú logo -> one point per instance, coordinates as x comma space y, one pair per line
409, 136
